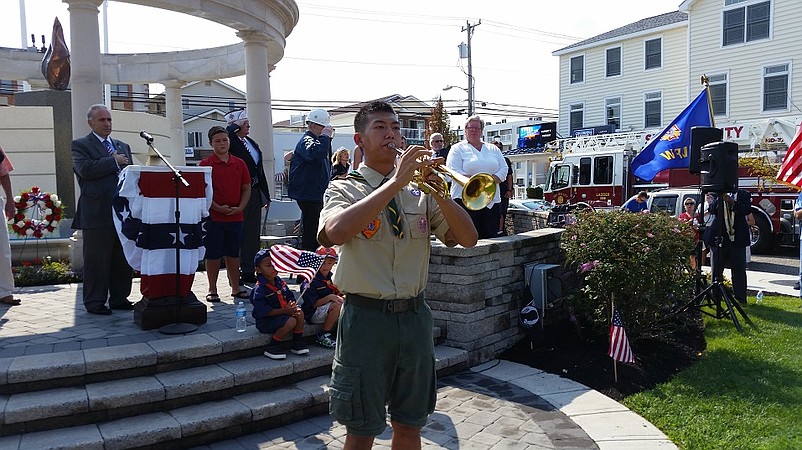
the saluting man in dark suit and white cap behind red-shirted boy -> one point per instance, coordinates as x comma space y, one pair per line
246, 149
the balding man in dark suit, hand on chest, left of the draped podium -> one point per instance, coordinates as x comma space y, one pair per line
97, 160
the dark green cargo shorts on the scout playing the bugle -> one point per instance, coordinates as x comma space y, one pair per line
383, 363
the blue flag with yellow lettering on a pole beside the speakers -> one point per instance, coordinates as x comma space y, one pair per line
670, 149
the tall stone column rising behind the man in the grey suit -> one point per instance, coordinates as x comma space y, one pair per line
86, 80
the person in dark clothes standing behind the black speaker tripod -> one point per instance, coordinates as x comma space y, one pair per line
735, 236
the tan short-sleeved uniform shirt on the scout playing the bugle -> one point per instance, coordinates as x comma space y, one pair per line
381, 265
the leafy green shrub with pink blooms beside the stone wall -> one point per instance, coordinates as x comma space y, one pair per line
640, 260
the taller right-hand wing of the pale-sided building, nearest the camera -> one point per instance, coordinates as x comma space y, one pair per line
748, 49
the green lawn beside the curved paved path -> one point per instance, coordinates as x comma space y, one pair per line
745, 392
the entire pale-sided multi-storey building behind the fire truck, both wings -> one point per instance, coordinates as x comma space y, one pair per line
640, 76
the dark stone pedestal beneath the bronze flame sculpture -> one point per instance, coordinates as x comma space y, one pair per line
62, 133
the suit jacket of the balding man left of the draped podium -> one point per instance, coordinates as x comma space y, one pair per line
97, 174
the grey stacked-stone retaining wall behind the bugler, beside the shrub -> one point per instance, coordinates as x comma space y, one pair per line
475, 293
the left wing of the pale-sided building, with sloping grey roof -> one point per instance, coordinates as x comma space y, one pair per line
633, 77
